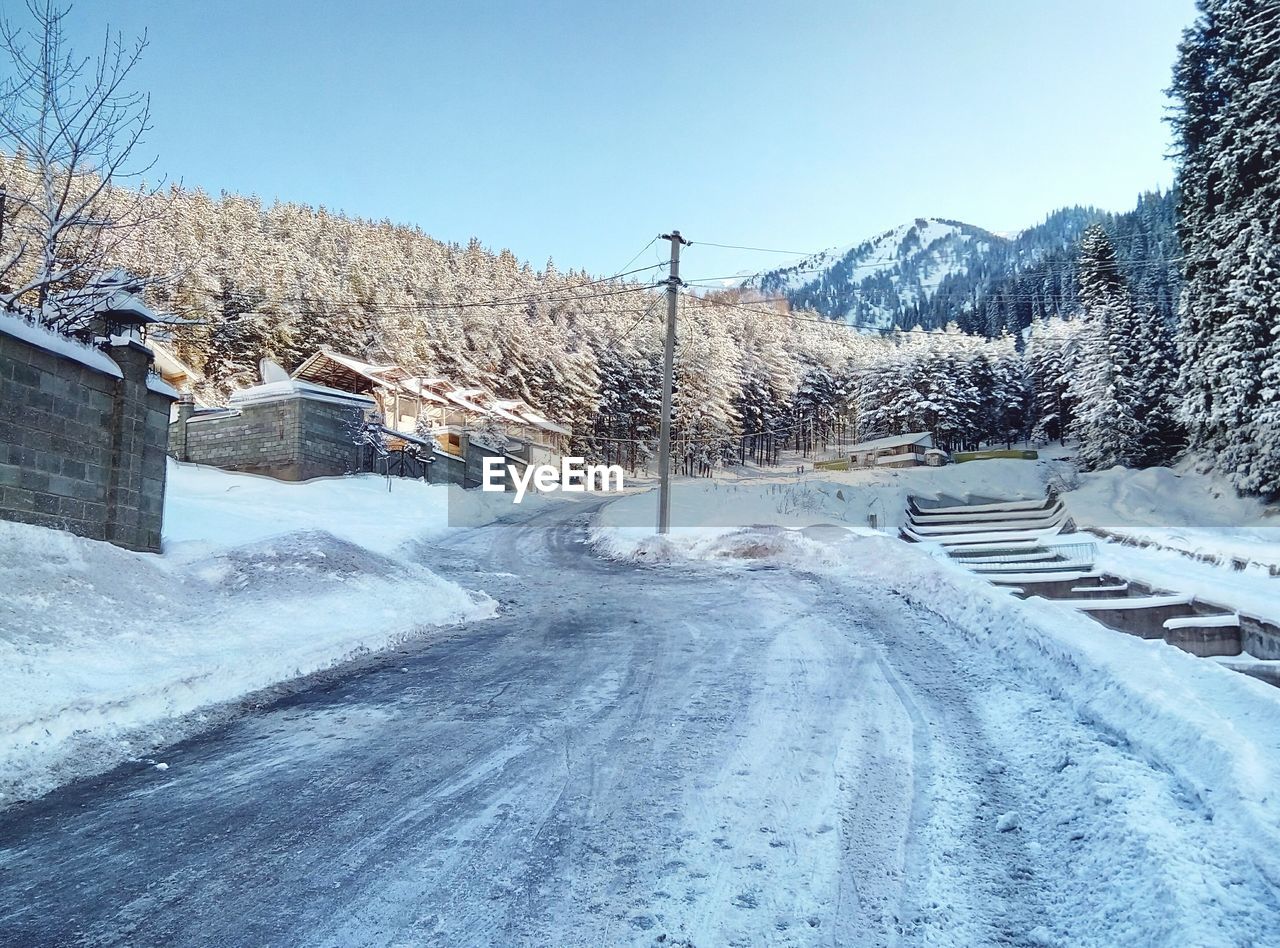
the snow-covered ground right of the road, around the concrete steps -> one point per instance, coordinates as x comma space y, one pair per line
1208, 736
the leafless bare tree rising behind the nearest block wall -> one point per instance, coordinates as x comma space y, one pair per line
75, 126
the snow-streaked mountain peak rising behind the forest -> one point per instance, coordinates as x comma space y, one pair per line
875, 282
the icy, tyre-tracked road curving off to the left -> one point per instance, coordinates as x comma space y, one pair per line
692, 757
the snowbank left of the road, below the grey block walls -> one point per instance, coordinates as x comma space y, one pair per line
104, 652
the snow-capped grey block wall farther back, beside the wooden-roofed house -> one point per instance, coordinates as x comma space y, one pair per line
291, 432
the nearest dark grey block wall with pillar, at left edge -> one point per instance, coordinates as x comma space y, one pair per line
83, 450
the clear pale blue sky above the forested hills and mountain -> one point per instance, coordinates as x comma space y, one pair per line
582, 130
